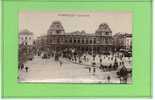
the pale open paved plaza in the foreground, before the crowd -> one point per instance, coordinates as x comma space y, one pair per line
49, 70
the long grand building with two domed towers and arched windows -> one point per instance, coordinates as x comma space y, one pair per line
80, 41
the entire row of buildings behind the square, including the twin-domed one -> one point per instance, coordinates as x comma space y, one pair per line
101, 41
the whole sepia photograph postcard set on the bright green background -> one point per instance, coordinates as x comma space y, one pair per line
75, 47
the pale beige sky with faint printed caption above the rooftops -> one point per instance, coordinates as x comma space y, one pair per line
38, 22
